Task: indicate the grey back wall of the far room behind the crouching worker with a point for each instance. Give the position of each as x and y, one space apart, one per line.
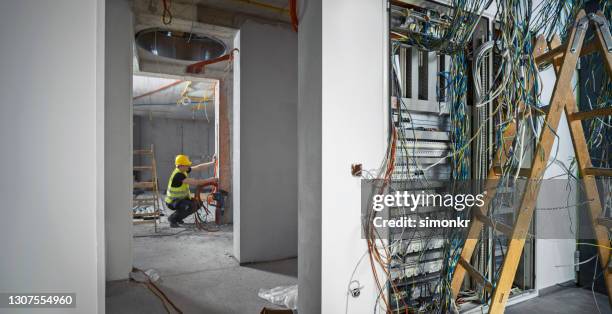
195 138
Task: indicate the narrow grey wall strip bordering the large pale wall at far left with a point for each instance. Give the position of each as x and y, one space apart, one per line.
118 146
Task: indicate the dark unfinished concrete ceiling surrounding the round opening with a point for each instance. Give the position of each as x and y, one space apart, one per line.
217 19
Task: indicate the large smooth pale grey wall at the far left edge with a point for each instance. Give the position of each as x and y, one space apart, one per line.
52 135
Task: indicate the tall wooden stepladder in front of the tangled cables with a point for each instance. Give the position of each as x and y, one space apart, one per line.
564 59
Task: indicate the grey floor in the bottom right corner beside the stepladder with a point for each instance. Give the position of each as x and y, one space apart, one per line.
564 301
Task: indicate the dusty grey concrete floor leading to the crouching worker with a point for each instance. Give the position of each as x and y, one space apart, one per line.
198 273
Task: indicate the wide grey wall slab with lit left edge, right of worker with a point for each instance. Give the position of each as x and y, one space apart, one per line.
265 143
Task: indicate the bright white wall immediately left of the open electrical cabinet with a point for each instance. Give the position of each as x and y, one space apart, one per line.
354 101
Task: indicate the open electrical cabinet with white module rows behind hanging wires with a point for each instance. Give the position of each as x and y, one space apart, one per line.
420 112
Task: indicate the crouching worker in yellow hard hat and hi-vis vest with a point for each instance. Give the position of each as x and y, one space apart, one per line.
178 197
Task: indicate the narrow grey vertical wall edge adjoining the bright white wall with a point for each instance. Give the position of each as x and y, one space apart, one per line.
309 156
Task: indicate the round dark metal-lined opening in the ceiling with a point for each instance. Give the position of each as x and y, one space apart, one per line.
179 45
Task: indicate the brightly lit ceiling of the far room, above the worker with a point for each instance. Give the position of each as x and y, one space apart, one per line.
174 98
